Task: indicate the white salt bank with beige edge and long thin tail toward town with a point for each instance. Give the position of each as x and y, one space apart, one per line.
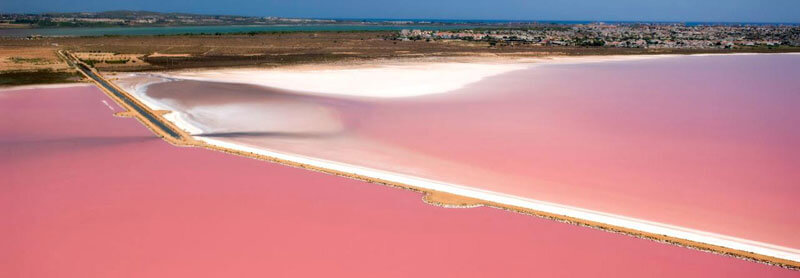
389 78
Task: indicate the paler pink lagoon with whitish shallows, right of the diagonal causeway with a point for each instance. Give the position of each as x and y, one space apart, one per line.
704 142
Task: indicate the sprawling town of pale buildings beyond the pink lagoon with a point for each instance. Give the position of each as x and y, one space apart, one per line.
625 35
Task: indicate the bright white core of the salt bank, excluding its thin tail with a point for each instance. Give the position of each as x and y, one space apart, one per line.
387 81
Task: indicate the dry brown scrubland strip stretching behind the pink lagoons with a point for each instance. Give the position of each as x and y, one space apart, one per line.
277 49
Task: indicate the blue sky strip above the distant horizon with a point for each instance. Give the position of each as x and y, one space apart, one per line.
636 10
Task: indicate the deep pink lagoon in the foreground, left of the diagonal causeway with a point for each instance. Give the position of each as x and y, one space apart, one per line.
86 194
